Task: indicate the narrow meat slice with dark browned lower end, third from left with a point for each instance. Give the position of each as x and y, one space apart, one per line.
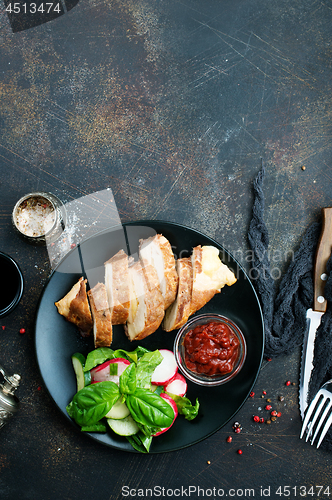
117 286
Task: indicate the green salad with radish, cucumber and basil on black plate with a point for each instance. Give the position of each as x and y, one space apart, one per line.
138 394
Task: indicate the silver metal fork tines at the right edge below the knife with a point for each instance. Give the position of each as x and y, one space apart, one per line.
318 415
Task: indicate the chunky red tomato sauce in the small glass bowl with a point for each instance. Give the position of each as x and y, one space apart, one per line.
211 349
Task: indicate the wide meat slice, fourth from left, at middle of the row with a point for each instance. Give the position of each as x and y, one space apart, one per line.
146 310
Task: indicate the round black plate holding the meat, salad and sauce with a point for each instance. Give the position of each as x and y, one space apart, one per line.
56 339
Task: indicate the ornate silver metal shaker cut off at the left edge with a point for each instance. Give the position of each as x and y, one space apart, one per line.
9 403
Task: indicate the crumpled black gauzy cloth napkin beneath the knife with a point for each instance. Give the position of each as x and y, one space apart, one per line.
284 307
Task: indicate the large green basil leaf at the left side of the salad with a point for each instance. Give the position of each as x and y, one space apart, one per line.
91 403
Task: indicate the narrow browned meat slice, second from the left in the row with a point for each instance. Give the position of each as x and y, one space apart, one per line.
102 324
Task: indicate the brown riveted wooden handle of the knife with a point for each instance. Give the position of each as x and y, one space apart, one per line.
323 254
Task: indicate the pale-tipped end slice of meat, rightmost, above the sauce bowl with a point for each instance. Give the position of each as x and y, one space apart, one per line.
210 275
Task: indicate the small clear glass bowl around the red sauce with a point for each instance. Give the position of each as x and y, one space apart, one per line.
201 378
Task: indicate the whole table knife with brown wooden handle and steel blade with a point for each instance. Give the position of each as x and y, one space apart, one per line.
314 314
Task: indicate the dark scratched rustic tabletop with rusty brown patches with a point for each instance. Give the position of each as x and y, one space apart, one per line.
172 105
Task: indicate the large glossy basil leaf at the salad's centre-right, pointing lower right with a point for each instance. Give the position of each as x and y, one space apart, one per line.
150 409
